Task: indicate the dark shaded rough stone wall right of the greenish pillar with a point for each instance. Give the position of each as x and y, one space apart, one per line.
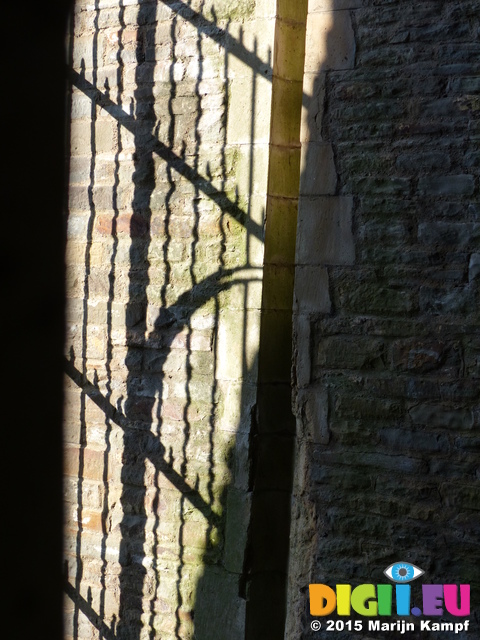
386 294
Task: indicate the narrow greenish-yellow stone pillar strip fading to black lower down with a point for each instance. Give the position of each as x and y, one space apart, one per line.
272 438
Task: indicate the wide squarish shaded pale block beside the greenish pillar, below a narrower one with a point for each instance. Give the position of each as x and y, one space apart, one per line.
324 234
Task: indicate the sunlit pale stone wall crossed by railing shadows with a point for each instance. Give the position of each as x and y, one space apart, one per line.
166 286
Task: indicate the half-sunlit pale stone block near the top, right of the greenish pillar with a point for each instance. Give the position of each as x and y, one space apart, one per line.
330 41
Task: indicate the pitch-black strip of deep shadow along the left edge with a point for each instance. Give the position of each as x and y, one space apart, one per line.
32 325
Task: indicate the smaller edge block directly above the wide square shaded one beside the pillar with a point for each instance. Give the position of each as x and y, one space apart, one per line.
317 167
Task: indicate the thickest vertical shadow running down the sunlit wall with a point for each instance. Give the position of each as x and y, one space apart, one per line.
132 526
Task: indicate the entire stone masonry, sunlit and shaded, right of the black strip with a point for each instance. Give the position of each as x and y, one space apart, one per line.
273 346
